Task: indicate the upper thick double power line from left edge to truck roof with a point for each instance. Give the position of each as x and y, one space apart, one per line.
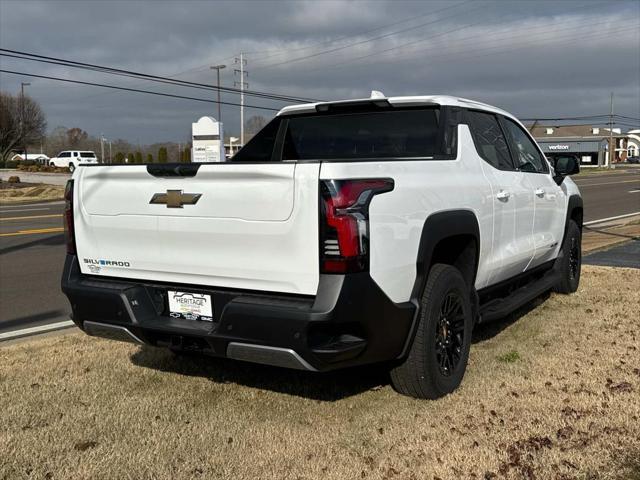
157 78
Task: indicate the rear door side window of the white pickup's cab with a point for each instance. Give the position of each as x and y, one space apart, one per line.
489 140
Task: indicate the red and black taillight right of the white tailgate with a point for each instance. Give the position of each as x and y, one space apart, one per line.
344 223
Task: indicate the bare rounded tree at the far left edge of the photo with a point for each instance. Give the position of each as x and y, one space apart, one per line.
20 122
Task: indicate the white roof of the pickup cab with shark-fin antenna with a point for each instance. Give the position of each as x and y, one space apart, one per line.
397 101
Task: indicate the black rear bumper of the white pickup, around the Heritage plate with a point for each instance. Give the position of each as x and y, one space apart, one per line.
349 322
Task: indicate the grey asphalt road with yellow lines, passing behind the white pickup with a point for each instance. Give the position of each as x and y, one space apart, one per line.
32 248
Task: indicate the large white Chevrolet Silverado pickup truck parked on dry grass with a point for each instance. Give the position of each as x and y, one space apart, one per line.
344 233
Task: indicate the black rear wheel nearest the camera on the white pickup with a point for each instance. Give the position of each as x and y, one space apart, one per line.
424 373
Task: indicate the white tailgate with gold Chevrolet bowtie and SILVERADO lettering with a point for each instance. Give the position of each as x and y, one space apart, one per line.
254 226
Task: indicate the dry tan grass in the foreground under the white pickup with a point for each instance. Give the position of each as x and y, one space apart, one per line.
566 407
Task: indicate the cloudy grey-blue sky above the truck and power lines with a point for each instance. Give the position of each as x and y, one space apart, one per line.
532 58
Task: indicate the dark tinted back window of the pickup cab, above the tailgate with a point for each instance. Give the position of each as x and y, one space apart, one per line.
348 136
